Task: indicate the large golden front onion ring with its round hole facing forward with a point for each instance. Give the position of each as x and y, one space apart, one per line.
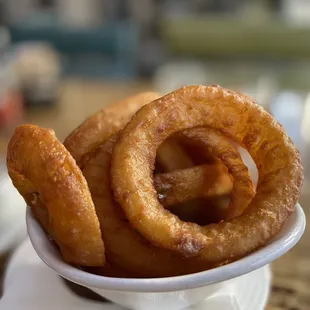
235 115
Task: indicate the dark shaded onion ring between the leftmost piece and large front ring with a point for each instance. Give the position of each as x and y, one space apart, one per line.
125 247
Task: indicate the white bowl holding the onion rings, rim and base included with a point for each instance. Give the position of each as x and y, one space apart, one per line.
171 292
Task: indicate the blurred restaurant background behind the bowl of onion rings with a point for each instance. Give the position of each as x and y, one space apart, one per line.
62 60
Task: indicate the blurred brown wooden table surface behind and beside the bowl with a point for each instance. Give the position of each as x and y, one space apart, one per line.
78 99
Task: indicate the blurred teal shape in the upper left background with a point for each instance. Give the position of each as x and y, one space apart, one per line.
107 51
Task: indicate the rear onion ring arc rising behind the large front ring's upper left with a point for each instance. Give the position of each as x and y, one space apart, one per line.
103 124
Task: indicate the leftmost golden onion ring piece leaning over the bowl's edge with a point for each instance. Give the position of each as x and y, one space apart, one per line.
42 169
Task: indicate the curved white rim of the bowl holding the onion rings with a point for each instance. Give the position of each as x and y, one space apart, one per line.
291 234
